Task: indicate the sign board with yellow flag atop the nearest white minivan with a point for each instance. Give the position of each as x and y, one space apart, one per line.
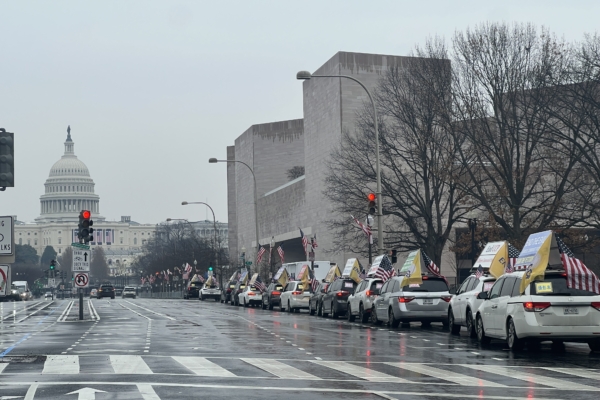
534 257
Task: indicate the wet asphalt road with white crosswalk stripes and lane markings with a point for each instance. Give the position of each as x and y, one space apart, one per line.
178 349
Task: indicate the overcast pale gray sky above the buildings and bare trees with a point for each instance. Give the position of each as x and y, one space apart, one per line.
152 89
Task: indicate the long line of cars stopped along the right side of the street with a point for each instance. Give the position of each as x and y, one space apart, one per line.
489 308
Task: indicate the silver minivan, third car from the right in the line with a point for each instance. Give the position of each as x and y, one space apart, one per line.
426 302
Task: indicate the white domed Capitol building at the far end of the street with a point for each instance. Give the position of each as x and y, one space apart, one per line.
70 189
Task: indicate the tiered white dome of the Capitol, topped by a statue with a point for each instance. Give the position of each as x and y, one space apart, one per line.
68 189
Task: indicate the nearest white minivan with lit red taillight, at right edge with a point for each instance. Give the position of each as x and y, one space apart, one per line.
548 310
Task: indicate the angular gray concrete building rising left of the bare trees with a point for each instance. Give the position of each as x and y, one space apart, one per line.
284 205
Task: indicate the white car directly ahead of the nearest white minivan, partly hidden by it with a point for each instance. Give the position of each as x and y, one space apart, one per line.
464 303
